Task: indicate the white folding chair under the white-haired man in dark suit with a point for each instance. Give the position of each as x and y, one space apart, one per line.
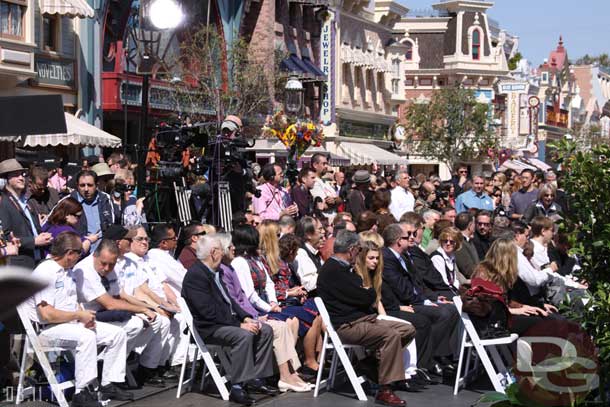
208 360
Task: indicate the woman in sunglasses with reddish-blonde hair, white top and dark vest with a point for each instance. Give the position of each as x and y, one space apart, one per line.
443 259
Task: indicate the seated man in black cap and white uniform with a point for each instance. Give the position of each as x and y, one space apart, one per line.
130 279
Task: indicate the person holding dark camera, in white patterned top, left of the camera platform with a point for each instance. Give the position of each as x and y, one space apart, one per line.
127 207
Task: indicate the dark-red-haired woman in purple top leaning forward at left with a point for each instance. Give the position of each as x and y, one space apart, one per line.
64 217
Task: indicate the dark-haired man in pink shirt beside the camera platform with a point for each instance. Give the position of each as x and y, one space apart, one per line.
274 201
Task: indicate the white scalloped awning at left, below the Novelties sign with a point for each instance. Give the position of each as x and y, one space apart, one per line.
78 133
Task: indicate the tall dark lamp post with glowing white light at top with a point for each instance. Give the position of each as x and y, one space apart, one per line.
155 17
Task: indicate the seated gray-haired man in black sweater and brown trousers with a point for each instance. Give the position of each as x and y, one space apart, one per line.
350 306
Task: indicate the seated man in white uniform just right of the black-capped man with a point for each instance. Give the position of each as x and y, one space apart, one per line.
152 292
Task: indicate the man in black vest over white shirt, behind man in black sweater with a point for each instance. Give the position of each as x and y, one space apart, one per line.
308 259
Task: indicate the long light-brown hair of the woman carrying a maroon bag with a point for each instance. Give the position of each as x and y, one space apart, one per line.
500 265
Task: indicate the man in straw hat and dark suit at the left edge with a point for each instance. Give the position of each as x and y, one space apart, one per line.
18 217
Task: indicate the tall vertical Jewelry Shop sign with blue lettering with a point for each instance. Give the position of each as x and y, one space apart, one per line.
326 59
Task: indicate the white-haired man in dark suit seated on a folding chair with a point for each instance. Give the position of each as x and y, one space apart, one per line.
221 321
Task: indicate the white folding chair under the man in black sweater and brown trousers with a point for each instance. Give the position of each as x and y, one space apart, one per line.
332 341
